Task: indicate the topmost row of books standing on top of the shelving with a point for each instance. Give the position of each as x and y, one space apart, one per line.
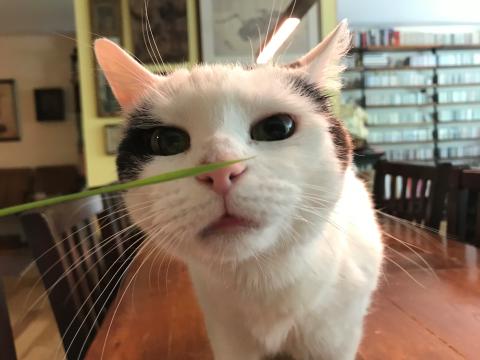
399 37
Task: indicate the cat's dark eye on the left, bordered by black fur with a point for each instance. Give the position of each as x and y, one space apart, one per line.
166 140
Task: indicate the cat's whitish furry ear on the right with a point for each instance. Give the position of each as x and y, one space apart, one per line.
322 63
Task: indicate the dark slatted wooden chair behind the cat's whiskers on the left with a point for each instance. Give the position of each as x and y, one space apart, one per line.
81 250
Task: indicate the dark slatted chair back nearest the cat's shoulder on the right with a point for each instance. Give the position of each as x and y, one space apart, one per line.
412 192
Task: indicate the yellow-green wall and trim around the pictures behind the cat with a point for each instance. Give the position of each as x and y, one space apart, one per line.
100 167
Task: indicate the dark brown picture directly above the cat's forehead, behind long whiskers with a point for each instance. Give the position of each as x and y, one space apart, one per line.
160 28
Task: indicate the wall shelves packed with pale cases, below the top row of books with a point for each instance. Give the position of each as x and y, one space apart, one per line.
423 101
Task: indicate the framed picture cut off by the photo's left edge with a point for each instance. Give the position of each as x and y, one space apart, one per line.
9 127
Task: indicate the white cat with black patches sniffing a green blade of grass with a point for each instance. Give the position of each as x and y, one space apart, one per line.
284 250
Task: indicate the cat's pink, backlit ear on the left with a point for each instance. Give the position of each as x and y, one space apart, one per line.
127 78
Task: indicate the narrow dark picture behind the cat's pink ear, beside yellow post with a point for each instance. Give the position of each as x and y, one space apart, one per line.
106 20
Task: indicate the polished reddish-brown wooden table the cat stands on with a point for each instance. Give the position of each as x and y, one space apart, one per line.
419 312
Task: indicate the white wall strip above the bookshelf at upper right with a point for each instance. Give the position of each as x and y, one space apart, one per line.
409 12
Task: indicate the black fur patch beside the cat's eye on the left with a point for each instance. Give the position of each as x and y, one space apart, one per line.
133 151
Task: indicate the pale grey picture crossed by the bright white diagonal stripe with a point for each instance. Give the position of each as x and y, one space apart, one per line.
232 31
